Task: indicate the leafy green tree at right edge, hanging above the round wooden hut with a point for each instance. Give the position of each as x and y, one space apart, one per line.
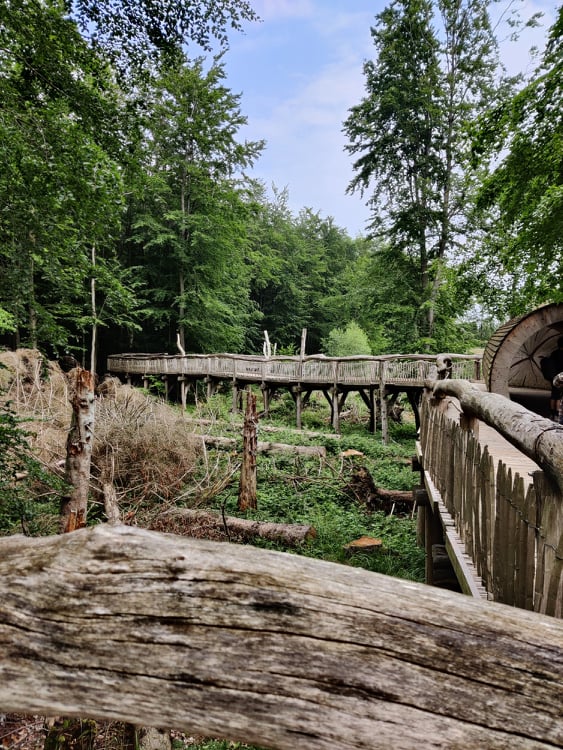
521 198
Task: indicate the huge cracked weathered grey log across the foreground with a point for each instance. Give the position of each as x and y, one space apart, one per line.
275 649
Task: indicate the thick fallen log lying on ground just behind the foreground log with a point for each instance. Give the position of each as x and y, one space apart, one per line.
192 522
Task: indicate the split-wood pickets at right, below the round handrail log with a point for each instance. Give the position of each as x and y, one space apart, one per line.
513 535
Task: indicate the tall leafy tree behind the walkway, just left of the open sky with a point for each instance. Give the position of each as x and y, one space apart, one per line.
191 223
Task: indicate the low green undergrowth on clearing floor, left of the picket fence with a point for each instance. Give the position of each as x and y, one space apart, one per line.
293 489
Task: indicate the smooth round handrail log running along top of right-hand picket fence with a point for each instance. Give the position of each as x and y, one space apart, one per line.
537 437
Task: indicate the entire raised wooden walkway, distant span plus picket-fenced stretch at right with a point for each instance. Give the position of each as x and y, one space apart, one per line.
482 500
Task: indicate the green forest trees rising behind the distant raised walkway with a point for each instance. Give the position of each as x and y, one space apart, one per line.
130 220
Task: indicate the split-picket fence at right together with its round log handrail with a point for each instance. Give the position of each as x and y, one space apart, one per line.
512 534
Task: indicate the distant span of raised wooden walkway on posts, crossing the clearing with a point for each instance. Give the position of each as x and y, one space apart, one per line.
378 380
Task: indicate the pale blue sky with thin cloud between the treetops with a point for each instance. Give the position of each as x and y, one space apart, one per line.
299 71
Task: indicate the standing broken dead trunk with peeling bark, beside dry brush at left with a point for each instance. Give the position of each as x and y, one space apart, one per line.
74 507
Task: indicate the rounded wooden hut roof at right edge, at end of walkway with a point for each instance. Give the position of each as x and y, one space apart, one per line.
513 353
